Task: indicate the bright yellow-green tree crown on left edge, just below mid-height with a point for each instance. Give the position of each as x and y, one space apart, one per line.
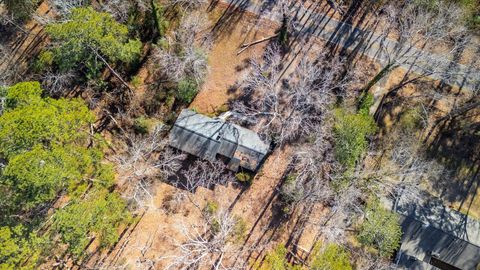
38 175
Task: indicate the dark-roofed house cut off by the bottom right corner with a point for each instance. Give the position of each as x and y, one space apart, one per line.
436 237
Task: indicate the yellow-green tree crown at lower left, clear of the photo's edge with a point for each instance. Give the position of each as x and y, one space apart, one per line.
99 215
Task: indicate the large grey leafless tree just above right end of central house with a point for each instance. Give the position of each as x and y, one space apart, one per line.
290 108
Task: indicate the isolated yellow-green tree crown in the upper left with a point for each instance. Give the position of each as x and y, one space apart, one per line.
87 31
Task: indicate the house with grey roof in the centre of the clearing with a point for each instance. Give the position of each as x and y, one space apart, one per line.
213 138
